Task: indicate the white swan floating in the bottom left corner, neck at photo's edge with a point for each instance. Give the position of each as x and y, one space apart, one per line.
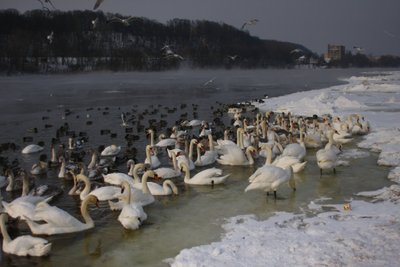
25 245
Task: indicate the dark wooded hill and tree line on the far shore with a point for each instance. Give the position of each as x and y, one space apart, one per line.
43 41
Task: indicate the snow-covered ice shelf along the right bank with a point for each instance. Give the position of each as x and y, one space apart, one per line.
365 234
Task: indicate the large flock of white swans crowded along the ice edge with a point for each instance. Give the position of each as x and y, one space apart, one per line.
283 139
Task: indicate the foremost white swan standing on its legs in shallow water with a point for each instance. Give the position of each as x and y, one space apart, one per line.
270 178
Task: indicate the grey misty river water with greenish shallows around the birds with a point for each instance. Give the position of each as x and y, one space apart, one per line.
176 222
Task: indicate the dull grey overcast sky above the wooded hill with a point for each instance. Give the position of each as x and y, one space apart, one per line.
373 25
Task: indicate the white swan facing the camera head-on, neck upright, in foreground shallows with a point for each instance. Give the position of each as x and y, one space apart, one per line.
132 214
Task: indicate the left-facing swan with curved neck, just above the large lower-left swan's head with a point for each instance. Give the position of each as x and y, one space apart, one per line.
102 193
